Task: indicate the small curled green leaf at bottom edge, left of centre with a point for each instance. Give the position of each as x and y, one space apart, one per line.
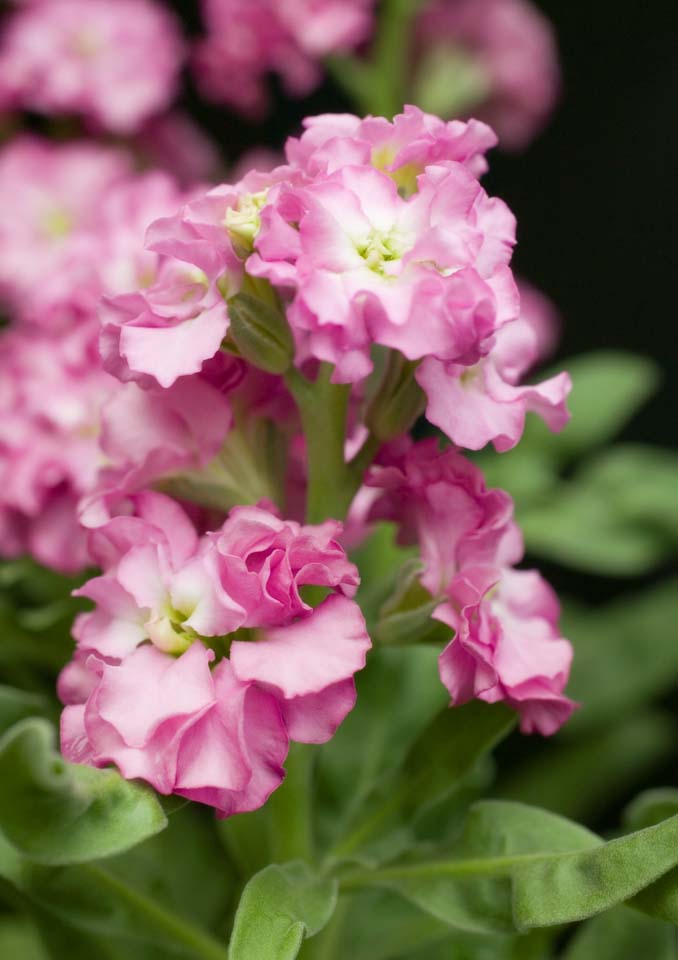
279 908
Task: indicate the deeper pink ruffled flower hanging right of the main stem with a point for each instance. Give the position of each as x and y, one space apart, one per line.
506 644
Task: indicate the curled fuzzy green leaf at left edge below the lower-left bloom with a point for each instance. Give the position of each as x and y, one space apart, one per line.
57 813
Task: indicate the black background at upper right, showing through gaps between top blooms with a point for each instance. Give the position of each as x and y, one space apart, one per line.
595 195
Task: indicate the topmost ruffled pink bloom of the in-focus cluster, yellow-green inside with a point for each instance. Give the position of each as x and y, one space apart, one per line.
402 147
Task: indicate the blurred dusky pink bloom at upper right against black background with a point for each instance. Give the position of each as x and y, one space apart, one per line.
512 47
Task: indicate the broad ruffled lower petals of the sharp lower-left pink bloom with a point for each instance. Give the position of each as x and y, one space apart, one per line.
184 729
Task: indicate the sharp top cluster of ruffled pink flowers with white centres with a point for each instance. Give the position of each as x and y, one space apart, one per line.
374 234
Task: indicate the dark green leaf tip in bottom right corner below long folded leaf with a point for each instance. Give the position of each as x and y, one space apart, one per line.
622 934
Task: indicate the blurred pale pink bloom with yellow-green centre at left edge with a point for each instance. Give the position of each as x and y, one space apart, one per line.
50 241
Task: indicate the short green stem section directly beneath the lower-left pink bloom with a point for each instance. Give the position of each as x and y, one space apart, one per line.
290 808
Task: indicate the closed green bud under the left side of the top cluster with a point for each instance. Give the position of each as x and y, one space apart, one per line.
260 333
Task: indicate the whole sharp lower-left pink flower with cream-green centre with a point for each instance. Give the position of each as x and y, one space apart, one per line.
140 691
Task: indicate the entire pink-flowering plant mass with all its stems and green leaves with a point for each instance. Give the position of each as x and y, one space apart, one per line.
278 445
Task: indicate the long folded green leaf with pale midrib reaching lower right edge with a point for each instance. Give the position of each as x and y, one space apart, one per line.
518 867
